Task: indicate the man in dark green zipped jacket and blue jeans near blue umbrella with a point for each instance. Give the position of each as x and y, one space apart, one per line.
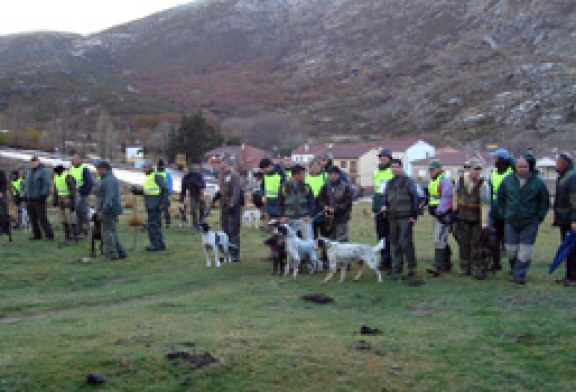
523 202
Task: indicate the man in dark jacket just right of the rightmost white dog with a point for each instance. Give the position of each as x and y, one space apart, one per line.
400 203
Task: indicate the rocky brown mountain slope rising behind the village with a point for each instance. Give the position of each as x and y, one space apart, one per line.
453 70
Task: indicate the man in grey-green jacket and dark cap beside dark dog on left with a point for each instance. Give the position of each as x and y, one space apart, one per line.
109 207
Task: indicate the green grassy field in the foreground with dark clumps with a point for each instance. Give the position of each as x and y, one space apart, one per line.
62 319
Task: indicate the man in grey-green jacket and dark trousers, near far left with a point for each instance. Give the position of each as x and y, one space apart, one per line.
37 189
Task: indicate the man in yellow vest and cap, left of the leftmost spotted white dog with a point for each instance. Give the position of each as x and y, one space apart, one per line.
155 193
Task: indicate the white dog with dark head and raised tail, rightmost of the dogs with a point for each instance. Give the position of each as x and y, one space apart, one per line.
344 254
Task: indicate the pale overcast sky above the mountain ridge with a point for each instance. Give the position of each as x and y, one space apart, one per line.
76 16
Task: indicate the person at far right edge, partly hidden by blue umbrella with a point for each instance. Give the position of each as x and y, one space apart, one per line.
565 209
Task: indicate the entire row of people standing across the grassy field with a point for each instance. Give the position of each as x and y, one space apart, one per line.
317 201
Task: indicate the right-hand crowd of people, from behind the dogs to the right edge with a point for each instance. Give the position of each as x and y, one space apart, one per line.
508 207
